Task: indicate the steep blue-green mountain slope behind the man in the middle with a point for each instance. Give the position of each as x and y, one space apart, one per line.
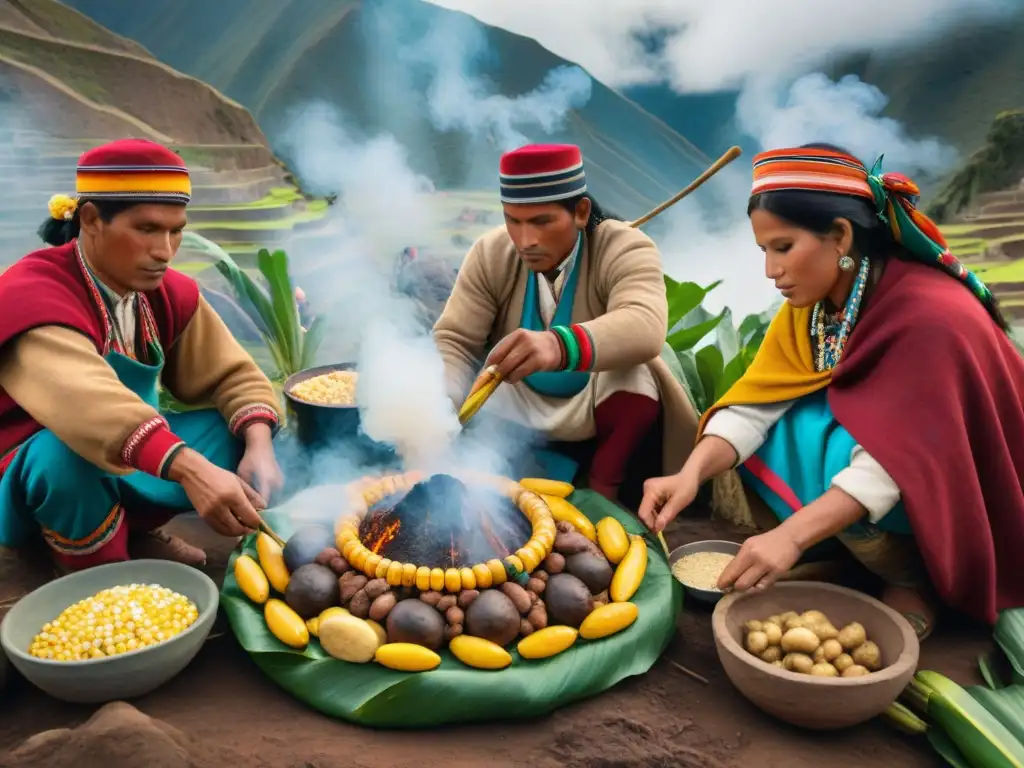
273 56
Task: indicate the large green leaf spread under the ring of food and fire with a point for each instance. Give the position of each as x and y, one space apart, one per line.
372 696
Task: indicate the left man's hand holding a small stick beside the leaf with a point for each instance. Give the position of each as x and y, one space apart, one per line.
223 499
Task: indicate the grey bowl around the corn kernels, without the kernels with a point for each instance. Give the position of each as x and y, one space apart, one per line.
124 676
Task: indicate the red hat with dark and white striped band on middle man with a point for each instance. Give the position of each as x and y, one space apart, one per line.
542 174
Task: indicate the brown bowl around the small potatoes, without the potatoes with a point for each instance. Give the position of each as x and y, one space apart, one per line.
818 703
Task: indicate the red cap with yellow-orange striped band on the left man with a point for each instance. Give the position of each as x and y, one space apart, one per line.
134 169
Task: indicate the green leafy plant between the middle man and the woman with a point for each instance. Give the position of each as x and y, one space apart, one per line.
710 370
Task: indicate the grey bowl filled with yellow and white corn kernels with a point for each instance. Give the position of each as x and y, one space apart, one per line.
112 632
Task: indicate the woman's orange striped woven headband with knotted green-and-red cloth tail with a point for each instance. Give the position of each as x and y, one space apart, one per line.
893 195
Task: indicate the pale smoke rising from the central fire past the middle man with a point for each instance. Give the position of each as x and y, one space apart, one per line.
385 207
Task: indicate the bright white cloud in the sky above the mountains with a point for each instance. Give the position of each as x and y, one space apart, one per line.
716 45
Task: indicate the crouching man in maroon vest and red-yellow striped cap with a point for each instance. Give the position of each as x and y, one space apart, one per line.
91 329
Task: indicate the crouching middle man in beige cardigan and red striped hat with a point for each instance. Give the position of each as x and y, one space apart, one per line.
571 306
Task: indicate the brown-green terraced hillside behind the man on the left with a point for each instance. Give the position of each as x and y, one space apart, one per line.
68 84
